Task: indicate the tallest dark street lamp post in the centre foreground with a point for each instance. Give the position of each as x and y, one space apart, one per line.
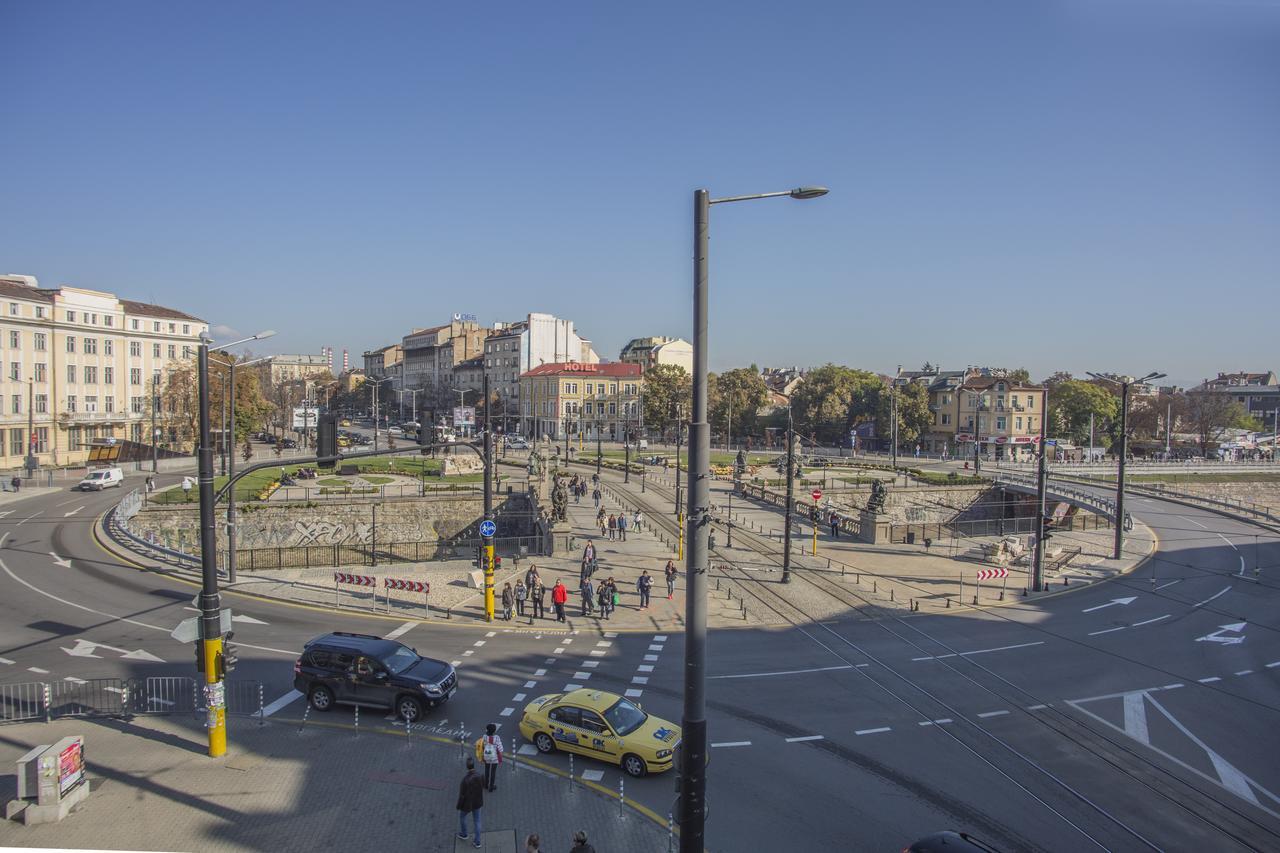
693 758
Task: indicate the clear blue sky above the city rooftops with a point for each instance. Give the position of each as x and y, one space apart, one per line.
1076 185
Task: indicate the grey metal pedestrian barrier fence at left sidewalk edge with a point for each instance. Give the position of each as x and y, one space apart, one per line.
34 701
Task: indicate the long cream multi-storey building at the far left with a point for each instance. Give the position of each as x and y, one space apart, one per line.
80 366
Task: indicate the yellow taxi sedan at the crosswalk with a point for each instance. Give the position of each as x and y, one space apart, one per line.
601 726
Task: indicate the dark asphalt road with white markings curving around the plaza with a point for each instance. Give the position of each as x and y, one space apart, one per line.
1075 724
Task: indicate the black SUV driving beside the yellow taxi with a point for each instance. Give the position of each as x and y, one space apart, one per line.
363 669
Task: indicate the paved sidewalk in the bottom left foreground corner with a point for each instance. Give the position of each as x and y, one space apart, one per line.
323 787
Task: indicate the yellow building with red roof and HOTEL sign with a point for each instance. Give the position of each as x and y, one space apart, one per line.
582 400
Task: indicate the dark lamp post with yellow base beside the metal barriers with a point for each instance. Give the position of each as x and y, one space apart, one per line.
211 621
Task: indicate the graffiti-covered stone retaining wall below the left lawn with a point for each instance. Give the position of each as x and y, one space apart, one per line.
328 523
